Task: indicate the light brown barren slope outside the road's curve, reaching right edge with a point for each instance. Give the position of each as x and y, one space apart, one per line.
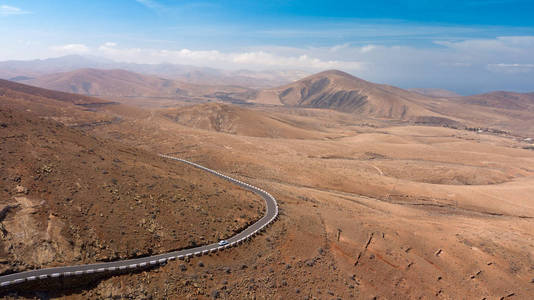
409 203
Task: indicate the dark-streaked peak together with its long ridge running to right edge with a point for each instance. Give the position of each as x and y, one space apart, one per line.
512 112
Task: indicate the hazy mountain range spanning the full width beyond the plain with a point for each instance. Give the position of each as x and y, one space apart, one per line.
331 89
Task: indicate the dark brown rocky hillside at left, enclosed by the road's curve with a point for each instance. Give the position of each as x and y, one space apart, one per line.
67 197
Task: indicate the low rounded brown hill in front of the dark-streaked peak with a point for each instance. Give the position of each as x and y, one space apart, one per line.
236 120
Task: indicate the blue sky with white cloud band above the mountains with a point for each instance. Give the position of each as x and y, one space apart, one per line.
467 46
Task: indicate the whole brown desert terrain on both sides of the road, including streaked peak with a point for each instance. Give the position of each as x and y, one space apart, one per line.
384 193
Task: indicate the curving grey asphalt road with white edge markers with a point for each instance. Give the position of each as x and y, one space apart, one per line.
271 213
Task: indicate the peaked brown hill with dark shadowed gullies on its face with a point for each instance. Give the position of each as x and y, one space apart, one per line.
344 92
